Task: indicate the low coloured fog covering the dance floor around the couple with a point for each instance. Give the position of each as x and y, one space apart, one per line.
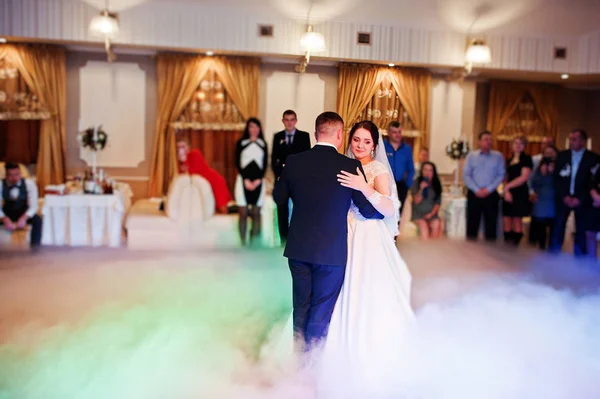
494 322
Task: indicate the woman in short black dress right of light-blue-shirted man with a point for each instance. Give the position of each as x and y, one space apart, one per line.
516 204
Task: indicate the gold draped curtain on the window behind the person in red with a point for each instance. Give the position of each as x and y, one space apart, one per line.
178 79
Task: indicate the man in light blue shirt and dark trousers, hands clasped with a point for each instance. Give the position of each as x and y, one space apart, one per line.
483 173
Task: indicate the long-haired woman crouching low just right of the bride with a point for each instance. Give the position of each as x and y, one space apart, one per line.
427 198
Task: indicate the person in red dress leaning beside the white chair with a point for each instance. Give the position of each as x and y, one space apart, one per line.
193 162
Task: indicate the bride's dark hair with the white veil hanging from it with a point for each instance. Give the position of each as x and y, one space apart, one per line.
391 222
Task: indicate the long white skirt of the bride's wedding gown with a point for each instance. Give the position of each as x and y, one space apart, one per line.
368 346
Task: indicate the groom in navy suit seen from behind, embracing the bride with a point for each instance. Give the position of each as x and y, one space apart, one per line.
317 245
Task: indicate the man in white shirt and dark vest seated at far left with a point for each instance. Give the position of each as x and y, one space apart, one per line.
19 198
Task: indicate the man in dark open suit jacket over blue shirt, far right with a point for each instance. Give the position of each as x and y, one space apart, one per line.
573 171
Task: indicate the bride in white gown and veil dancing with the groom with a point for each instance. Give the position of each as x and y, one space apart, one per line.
366 349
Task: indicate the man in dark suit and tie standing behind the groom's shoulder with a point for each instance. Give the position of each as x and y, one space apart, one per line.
287 142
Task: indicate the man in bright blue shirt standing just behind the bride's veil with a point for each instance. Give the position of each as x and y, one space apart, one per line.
401 161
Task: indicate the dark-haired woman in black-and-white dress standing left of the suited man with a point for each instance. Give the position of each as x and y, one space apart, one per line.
251 163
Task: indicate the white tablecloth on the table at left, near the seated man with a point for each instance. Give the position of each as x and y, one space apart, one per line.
85 220
